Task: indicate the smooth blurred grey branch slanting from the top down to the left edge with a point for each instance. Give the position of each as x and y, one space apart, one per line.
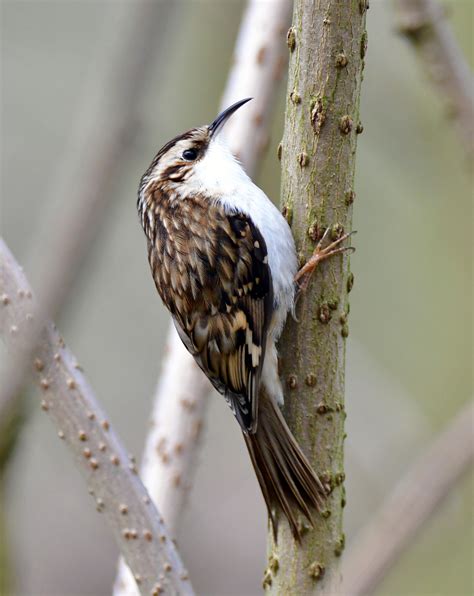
88 171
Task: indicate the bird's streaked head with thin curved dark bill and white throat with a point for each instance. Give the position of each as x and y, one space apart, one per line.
195 161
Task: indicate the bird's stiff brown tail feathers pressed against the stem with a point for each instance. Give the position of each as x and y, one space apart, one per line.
286 478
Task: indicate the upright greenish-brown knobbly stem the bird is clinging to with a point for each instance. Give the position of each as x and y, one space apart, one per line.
327 44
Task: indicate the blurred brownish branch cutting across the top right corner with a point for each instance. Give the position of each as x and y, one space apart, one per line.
424 24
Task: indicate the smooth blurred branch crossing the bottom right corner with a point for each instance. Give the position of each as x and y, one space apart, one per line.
405 512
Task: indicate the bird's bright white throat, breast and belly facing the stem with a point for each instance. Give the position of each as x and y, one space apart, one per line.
220 175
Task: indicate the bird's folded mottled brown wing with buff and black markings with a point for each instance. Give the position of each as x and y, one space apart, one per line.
221 302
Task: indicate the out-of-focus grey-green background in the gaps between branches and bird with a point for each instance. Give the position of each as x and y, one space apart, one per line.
409 354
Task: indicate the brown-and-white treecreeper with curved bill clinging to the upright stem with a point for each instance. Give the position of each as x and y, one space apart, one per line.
224 263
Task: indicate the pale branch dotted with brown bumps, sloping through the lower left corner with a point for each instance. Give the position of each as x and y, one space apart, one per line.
111 475
